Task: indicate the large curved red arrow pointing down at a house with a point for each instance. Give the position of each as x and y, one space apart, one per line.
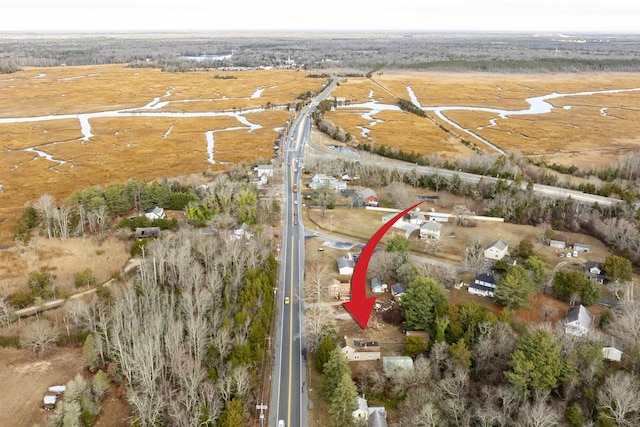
360 306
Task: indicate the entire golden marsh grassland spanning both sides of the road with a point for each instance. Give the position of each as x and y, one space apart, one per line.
46 150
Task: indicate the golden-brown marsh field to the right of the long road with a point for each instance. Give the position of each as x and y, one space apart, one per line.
586 130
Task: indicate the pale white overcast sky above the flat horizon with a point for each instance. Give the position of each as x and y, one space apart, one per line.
328 15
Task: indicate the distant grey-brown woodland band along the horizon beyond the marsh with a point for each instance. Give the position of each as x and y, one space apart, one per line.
515 52
